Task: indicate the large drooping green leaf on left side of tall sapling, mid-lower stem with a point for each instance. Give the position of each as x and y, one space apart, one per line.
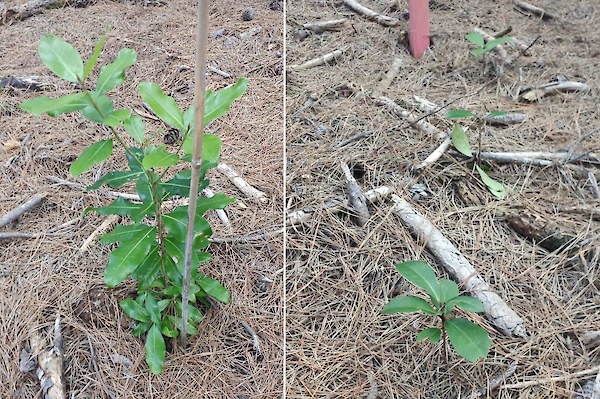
128 256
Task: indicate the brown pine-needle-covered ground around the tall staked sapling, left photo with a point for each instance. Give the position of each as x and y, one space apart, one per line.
45 276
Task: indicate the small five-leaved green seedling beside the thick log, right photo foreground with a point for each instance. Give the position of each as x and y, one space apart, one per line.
468 339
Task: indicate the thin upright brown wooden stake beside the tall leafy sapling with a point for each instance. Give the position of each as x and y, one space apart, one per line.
200 78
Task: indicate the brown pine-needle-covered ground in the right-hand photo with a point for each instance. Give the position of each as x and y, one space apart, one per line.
340 275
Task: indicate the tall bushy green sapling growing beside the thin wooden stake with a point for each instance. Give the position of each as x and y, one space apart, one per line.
151 248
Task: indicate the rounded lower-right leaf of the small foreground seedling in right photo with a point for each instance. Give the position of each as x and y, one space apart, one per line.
468 339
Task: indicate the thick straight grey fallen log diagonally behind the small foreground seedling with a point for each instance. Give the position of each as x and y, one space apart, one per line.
497 311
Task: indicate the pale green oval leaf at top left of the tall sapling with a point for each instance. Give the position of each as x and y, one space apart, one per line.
61 58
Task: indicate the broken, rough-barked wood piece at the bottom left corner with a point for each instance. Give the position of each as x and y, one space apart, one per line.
50 361
